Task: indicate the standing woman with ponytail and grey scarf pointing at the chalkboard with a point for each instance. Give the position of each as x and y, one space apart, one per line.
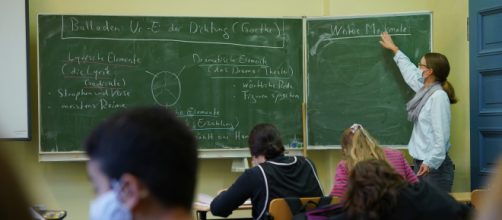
429 111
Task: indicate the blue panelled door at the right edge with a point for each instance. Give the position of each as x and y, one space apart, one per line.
485 21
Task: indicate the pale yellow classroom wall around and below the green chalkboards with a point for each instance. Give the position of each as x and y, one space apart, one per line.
64 185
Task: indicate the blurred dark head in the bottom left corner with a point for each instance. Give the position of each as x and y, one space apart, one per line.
13 201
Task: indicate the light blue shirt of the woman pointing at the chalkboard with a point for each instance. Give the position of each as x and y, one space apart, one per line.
430 138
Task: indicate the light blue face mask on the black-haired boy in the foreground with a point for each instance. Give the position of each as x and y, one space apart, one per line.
109 207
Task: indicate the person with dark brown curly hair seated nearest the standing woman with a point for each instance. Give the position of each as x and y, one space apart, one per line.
376 191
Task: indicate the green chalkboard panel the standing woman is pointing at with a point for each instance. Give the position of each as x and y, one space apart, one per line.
353 79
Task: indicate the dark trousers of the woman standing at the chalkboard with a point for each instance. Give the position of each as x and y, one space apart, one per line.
441 177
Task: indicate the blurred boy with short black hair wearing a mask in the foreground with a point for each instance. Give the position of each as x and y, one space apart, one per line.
143 165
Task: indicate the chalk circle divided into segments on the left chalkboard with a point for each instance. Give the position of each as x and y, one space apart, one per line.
166 88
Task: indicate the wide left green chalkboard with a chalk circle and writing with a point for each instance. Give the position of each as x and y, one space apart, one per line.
222 75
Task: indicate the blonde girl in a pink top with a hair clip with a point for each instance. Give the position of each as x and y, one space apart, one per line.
358 145
